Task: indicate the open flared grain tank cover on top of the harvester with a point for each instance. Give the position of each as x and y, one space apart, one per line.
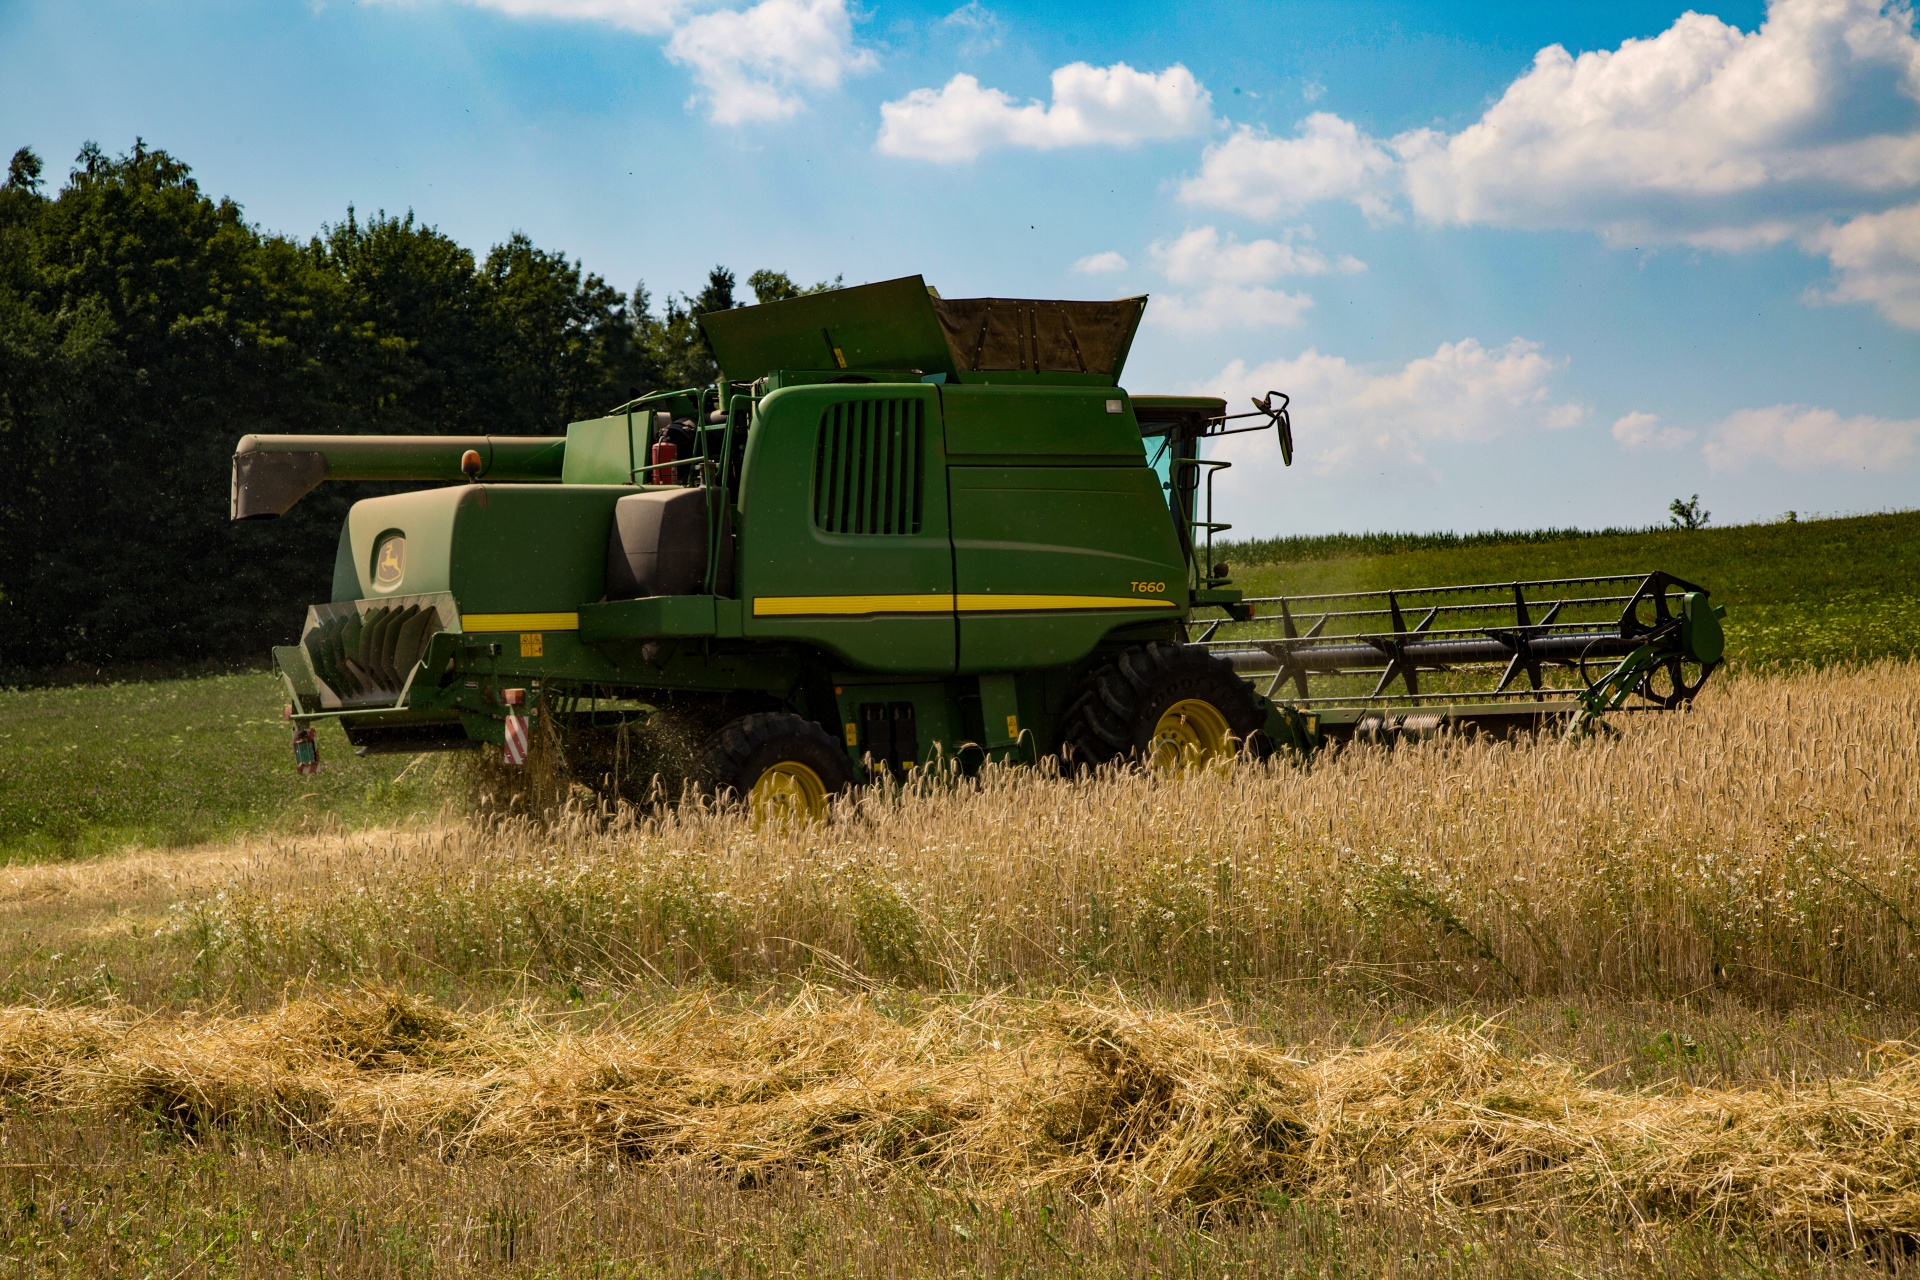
901 325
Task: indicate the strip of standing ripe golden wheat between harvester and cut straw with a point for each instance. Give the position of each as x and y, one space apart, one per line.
1762 843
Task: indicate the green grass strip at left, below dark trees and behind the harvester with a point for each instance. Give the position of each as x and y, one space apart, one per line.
91 769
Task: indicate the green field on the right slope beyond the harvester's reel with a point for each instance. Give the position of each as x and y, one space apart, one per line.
1808 592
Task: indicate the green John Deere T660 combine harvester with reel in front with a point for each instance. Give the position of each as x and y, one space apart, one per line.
901 531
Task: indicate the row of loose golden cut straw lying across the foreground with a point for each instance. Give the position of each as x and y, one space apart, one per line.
1090 1099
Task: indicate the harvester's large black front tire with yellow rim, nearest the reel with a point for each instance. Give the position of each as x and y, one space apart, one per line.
1170 707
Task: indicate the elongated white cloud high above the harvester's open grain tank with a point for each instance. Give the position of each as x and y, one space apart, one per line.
1111 107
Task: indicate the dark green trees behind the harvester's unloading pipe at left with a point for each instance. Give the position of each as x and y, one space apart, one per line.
145 327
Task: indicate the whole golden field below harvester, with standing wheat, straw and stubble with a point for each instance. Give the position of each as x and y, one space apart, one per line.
1641 1005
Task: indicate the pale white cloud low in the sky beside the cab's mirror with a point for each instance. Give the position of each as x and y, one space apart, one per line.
1349 419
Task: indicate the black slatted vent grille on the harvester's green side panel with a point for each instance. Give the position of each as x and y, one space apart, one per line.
869 469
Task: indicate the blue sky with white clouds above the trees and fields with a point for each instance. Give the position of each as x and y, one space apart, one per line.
1518 264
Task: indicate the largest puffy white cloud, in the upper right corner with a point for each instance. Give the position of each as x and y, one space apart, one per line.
1702 133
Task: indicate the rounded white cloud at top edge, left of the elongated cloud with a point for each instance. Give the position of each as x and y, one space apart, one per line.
750 64
